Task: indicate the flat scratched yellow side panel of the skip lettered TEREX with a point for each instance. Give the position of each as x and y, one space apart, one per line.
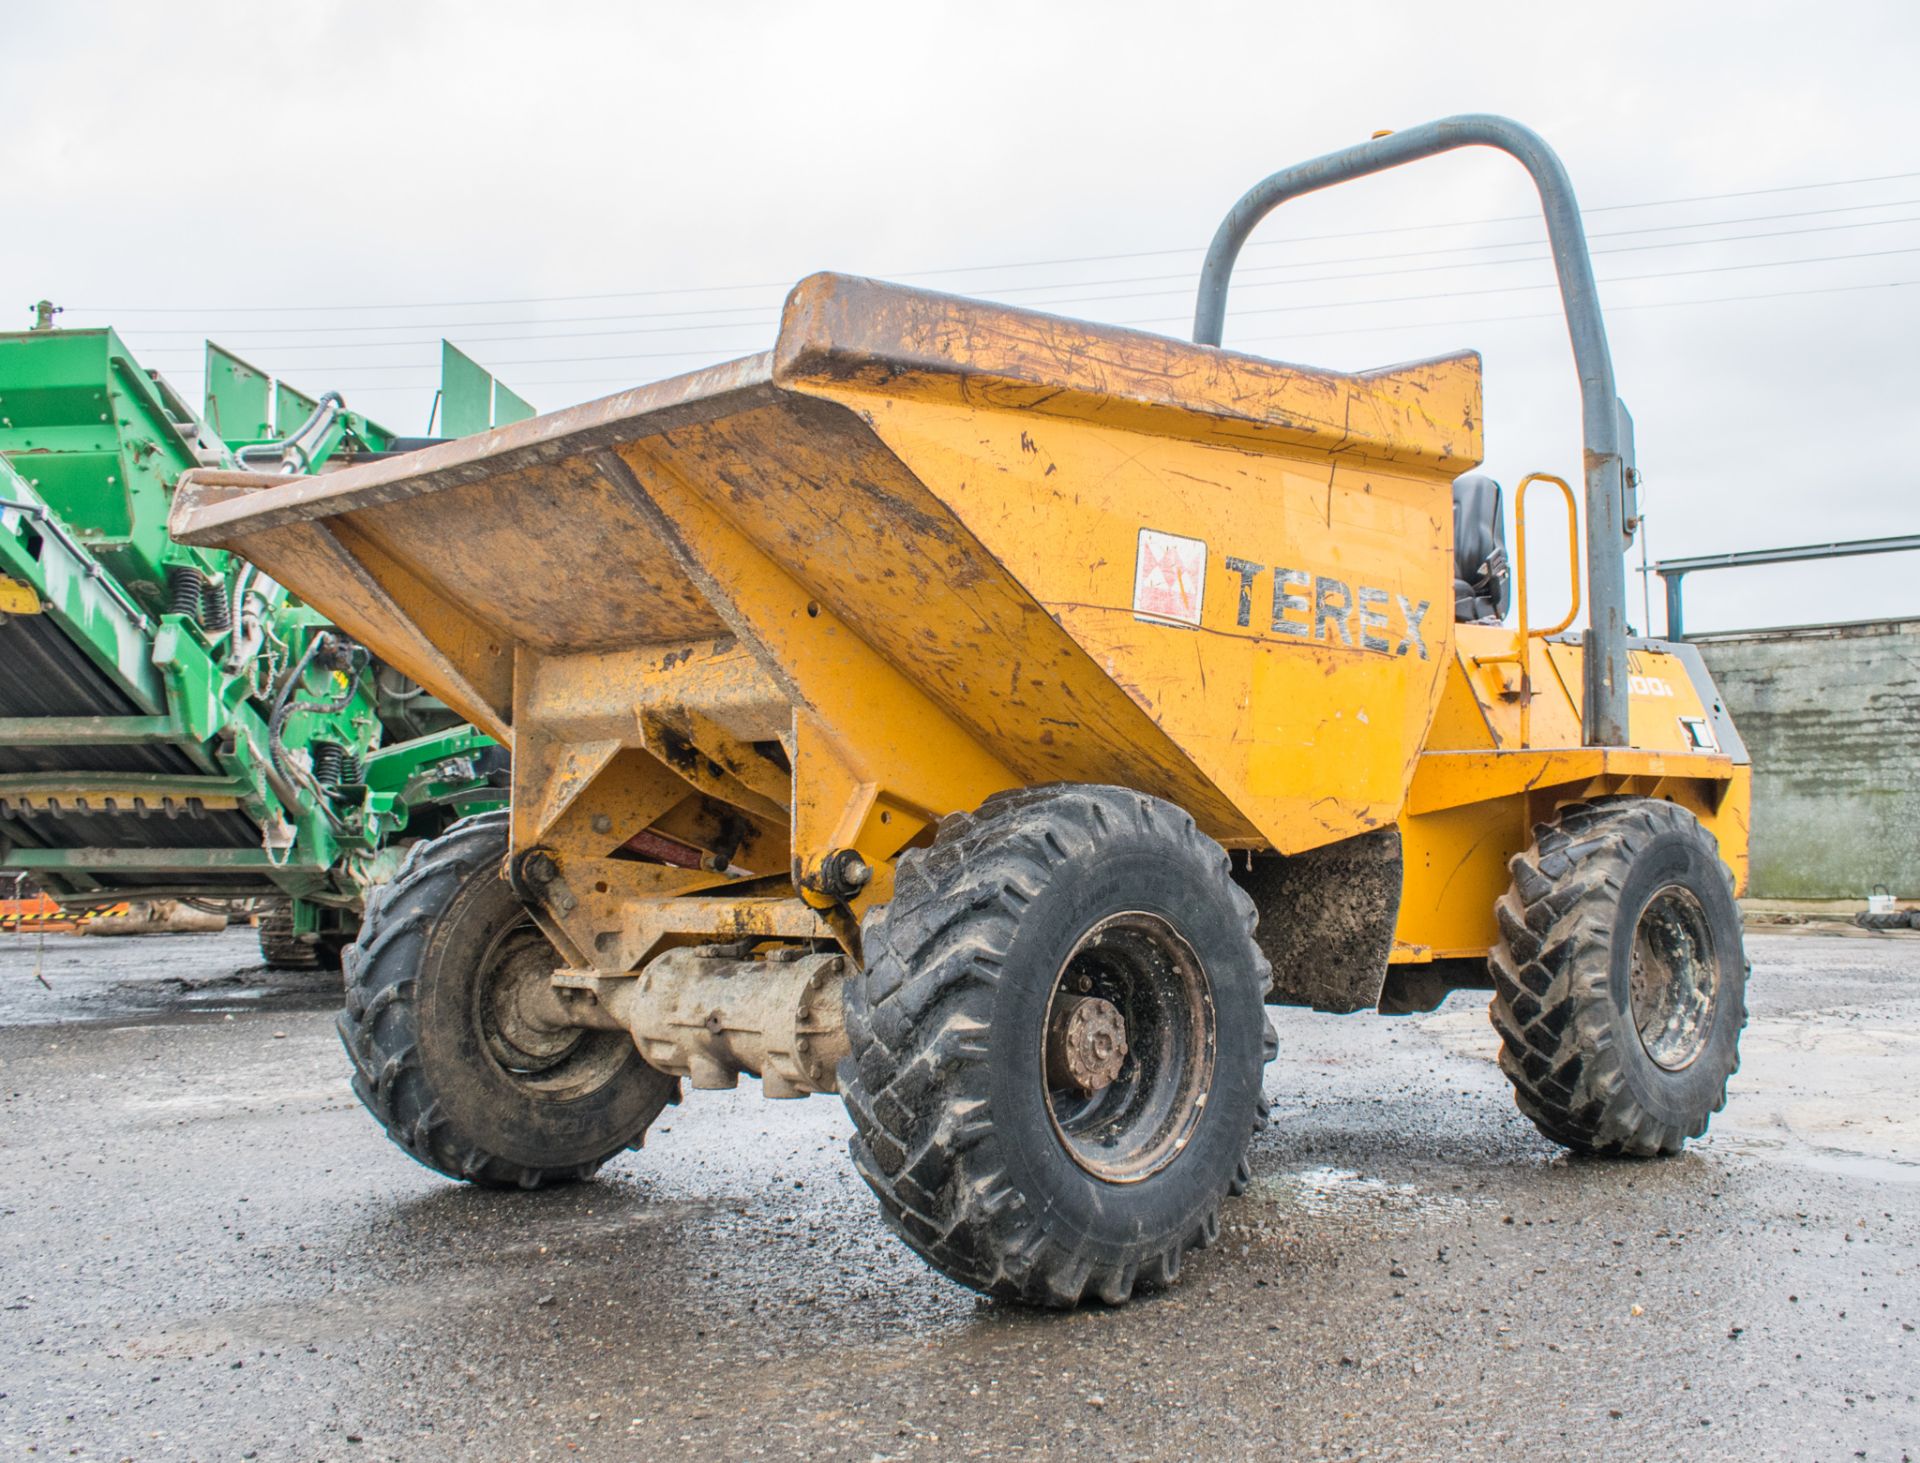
1305 721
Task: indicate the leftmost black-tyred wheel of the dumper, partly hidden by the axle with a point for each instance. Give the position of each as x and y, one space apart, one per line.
439 1055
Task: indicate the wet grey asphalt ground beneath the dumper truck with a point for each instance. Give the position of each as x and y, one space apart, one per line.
208 1251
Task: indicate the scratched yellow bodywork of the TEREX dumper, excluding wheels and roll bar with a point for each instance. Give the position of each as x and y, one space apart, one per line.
926 550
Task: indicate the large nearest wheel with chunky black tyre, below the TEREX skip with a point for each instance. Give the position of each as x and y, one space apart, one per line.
1059 1045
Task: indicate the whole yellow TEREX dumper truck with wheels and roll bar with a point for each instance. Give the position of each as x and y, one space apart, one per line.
984 717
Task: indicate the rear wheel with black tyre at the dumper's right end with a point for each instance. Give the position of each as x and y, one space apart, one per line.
1621 978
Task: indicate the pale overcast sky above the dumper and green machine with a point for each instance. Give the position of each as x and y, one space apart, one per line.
316 187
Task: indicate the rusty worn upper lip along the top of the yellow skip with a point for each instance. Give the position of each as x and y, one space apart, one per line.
834 329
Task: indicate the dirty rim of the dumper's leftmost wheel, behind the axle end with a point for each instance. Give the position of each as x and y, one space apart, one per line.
514 995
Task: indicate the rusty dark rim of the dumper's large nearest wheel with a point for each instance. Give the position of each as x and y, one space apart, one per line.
1128 1047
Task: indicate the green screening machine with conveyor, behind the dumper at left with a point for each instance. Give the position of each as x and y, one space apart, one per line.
174 725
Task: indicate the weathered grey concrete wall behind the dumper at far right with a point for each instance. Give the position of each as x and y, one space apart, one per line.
1833 721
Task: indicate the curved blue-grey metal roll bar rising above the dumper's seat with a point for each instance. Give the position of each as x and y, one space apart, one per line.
1606 429
